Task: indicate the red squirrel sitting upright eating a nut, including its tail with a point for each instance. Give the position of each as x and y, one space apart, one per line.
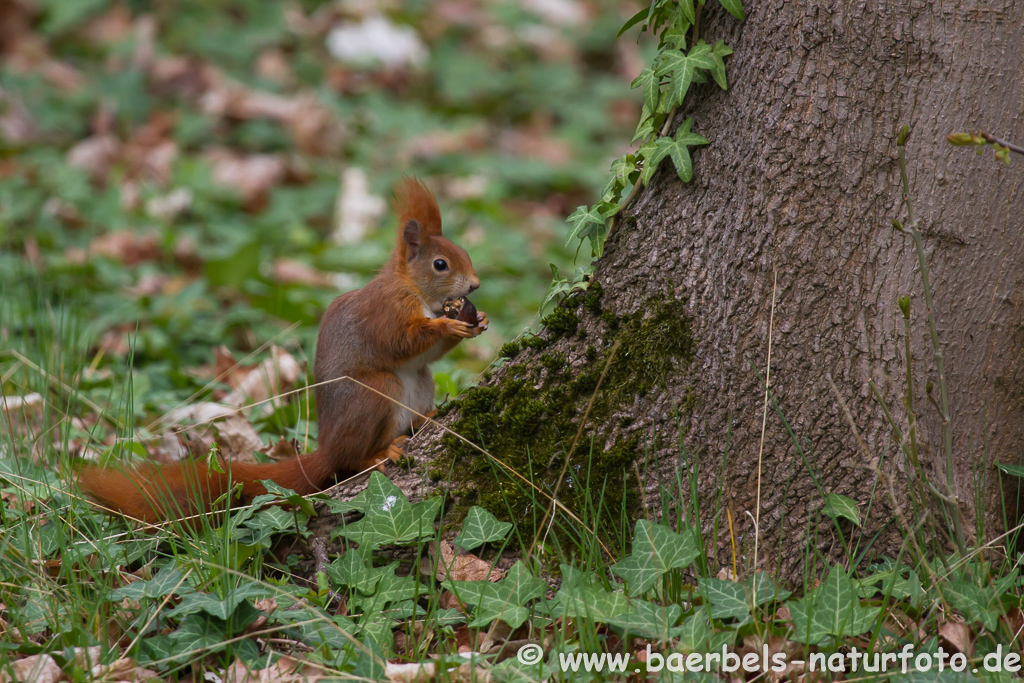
385 335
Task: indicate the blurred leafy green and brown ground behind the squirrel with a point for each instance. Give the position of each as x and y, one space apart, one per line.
178 177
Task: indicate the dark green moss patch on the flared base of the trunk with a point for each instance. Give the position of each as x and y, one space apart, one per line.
529 419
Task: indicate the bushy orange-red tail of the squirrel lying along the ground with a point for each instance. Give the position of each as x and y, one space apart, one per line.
156 494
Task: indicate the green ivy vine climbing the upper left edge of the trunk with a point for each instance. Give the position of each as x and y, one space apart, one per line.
684 59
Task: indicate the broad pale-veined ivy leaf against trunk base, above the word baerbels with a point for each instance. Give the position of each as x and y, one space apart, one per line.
657 549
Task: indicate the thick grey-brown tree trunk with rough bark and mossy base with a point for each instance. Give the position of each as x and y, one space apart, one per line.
800 184
